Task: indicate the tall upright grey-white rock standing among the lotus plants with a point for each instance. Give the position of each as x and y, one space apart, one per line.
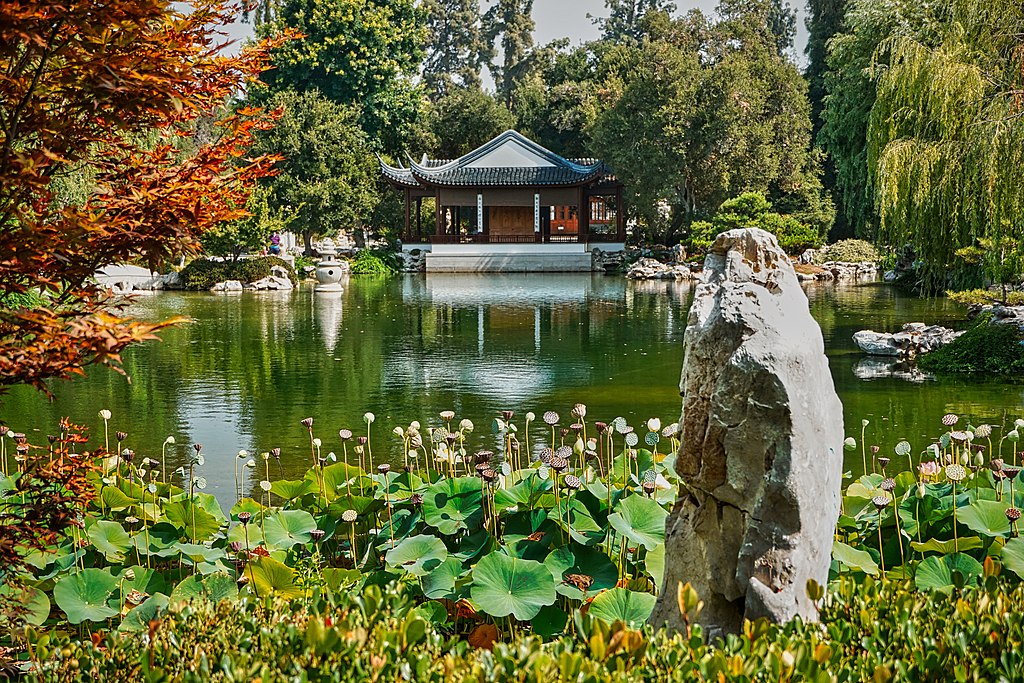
762 445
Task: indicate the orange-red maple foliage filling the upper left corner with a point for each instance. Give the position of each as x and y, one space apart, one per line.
116 87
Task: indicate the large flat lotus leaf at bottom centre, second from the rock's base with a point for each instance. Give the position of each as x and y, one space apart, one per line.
504 586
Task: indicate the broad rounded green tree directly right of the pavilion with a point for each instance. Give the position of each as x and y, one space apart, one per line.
710 110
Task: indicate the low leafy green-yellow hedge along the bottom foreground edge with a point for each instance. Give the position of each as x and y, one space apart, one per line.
875 631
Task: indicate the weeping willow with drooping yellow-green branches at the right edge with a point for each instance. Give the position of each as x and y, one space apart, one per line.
947 143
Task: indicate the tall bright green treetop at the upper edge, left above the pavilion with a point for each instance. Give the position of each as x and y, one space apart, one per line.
356 53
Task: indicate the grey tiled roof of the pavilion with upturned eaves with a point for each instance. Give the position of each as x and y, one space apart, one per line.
475 170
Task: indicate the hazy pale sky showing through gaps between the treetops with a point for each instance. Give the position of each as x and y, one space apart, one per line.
562 19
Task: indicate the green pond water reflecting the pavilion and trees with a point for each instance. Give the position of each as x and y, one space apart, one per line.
250 367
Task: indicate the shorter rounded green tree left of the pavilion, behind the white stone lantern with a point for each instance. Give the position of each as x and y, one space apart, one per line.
329 179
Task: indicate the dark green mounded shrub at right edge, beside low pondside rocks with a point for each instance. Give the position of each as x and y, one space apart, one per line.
995 350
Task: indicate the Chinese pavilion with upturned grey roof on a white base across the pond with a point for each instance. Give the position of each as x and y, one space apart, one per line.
508 194
